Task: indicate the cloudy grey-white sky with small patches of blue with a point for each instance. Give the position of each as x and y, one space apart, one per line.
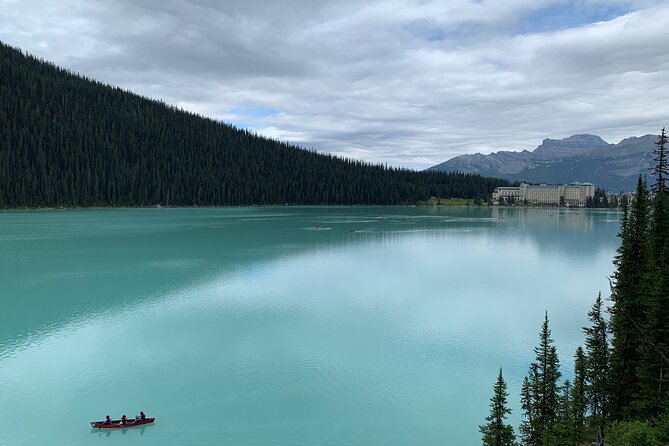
407 82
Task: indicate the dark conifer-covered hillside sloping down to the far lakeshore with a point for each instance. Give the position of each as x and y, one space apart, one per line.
70 141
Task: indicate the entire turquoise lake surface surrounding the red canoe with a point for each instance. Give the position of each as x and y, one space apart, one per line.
291 326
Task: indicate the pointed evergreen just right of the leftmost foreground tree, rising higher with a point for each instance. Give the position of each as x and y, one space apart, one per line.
540 396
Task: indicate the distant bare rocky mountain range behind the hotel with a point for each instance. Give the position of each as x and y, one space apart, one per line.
582 158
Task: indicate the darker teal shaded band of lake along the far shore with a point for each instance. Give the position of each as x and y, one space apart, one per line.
58 268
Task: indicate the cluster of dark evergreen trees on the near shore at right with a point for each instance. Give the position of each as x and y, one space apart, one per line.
619 394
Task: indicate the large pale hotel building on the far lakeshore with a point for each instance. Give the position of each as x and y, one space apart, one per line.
574 195
